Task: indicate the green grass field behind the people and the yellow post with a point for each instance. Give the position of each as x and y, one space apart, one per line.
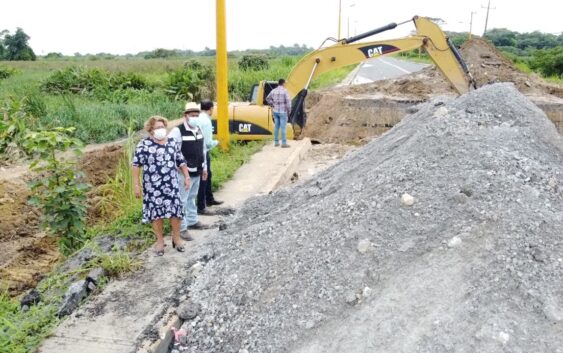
101 120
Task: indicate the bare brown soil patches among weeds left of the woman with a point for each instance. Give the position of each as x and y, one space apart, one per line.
27 252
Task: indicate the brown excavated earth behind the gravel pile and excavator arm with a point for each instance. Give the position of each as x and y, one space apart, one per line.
335 115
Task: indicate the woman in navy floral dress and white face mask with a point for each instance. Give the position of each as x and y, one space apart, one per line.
160 158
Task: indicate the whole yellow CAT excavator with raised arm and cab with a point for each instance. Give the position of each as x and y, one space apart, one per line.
253 120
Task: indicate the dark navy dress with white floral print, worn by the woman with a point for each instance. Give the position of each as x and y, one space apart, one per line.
160 178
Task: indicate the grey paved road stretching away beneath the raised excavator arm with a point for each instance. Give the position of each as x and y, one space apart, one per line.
382 69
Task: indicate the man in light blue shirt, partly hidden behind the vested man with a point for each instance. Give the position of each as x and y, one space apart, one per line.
205 195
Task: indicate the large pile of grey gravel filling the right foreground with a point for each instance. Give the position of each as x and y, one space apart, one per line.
443 235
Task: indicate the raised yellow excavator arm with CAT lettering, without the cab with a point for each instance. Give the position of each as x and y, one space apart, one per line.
345 52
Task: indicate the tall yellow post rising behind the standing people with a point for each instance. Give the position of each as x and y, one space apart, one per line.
222 70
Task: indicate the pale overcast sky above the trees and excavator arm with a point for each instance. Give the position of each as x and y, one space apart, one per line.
128 26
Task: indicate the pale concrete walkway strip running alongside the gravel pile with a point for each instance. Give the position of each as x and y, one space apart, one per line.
115 320
